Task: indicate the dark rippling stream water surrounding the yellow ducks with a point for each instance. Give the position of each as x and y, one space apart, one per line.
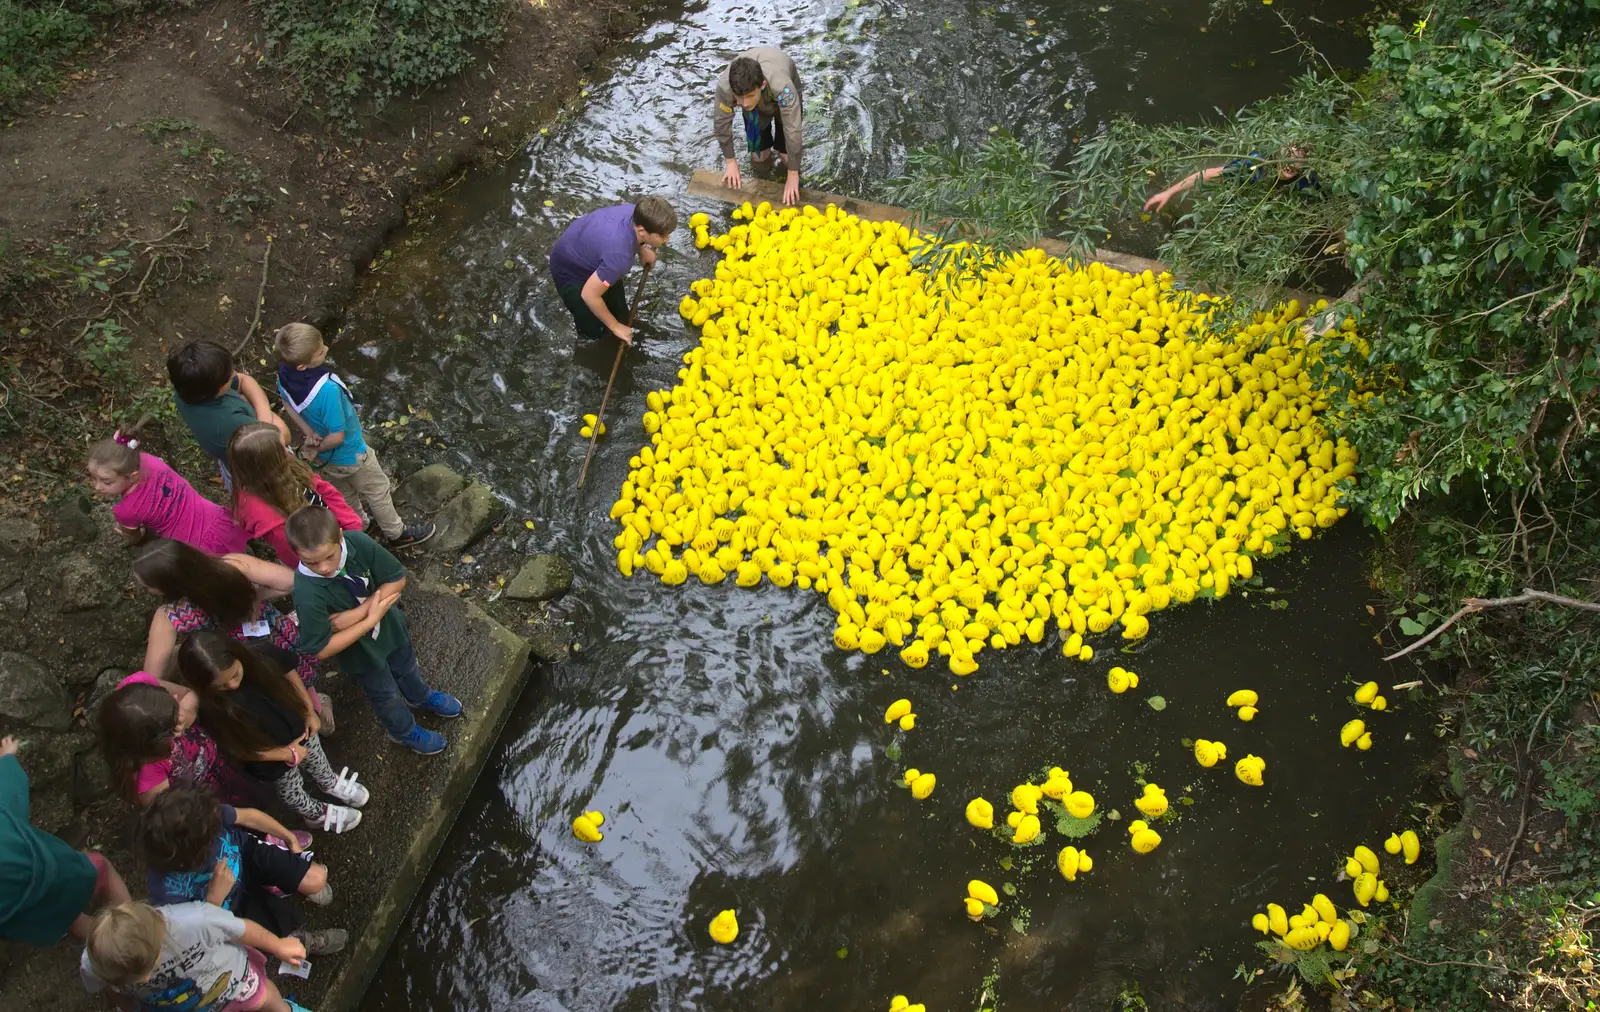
742 760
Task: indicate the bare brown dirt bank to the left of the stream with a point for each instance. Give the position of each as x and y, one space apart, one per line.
174 187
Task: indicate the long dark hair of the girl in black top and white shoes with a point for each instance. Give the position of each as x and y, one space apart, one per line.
209 654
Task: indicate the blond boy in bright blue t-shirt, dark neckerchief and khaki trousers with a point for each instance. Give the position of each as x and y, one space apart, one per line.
335 446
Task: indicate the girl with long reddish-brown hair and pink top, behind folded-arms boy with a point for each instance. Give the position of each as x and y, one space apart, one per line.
271 483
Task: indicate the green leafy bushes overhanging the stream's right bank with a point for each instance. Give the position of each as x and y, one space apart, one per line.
1457 182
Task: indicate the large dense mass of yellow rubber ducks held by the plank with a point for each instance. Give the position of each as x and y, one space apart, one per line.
956 473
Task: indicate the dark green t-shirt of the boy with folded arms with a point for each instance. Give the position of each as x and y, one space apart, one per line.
367 564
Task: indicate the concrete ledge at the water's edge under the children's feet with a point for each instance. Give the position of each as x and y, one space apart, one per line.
378 869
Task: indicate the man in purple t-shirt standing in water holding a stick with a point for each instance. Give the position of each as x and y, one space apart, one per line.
598 251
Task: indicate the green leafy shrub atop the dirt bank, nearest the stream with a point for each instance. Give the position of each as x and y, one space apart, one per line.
353 52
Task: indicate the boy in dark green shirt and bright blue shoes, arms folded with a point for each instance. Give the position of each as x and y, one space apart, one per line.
346 593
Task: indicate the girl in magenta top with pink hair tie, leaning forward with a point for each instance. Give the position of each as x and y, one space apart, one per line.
153 500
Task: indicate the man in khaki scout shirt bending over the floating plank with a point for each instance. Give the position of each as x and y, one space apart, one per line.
766 87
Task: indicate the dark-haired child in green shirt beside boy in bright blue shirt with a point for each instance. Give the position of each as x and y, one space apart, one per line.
215 400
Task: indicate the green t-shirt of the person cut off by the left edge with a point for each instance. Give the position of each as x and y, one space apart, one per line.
44 883
